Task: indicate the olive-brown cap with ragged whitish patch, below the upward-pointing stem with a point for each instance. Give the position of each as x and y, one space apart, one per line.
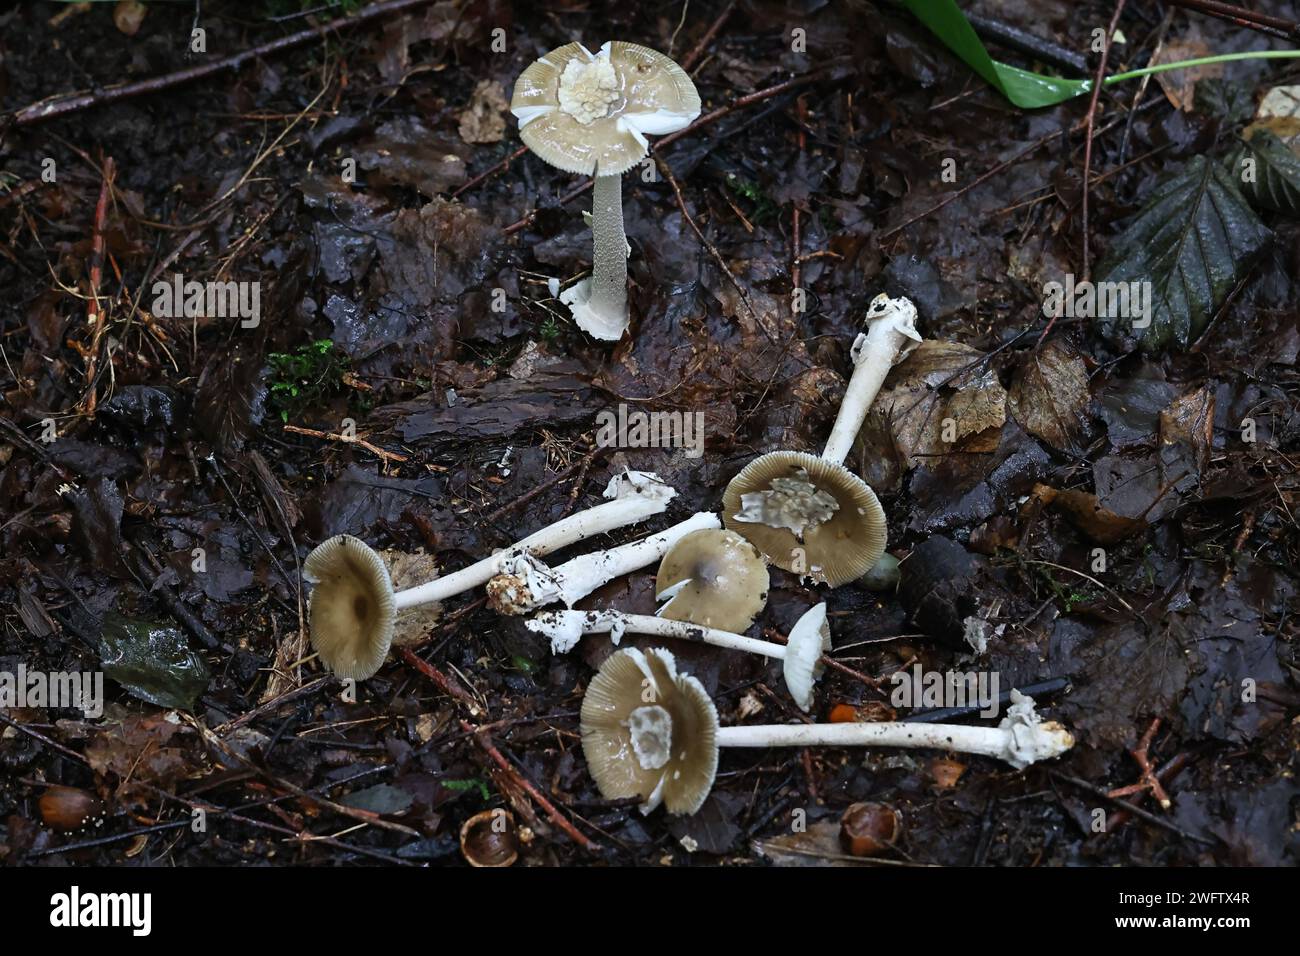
808 516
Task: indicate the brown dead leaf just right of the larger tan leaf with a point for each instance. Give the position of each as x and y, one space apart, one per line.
1050 396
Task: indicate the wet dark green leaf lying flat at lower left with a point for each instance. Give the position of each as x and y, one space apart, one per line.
153 661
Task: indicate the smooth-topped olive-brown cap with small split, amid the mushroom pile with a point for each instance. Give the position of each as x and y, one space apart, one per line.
713 578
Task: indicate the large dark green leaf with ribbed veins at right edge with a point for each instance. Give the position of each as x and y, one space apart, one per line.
1193 243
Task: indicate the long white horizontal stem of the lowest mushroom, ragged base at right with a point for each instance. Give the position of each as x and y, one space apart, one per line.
1021 739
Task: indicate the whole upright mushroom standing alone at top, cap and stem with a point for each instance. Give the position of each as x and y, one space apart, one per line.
591 114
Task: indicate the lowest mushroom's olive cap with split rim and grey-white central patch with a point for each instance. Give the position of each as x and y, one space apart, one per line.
649 732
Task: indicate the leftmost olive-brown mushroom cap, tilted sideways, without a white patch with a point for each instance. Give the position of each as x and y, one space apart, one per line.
353 609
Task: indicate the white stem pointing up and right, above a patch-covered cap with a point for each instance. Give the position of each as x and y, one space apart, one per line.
891 336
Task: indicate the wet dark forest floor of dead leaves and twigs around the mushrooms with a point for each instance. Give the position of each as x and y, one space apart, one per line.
1128 518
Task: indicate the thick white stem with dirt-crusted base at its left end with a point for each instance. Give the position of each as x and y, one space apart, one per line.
526 583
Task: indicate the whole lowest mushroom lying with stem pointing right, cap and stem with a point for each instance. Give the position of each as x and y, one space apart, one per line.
652 733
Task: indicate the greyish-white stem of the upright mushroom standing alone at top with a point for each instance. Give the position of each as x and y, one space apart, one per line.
600 304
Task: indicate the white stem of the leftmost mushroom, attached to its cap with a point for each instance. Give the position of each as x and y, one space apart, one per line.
636 496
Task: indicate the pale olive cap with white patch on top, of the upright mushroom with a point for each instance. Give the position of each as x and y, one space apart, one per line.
591 114
